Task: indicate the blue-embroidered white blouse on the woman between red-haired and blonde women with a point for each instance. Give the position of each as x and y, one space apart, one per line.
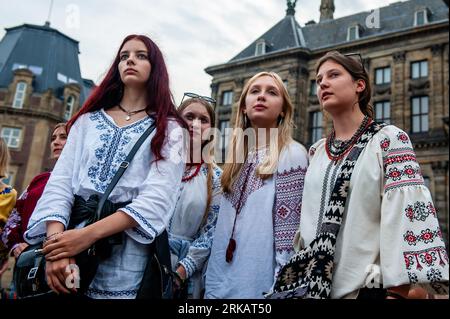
192 239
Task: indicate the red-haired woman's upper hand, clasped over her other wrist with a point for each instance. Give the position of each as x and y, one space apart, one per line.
68 244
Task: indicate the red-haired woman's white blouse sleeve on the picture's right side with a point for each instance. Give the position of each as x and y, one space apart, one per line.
155 203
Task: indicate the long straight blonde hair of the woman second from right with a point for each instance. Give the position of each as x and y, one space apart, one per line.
232 168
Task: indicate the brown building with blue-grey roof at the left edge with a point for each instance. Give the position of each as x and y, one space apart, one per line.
40 85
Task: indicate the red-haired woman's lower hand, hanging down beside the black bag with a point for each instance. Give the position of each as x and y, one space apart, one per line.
60 275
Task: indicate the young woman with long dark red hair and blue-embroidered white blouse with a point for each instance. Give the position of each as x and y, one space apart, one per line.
134 95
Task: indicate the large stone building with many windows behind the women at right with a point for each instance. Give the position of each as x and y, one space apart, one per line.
405 48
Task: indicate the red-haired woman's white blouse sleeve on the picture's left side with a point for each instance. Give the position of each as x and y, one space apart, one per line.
56 201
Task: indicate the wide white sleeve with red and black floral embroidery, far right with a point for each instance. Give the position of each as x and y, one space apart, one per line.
412 247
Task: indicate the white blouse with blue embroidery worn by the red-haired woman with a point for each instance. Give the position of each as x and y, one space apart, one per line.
94 150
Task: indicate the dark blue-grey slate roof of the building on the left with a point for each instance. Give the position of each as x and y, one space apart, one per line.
51 55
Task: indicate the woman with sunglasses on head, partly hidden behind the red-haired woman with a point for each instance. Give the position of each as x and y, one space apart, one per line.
192 226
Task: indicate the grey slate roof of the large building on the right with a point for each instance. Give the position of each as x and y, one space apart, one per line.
288 34
